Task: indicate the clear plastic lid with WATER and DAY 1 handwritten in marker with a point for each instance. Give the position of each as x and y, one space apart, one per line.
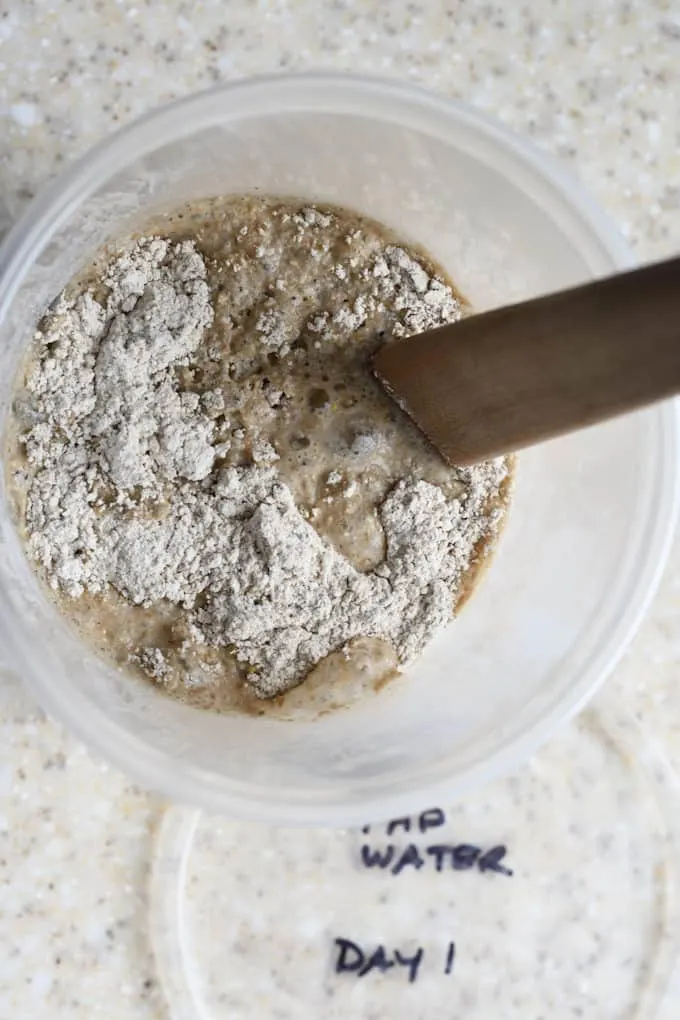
550 895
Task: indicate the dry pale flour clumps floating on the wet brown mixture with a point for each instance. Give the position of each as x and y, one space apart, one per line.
128 491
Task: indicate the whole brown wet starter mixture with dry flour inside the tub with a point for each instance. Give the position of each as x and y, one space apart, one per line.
210 479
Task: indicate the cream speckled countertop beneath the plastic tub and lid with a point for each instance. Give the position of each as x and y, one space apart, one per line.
597 85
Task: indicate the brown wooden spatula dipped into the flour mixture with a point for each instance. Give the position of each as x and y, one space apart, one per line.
505 380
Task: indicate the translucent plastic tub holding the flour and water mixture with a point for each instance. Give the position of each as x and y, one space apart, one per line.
593 515
